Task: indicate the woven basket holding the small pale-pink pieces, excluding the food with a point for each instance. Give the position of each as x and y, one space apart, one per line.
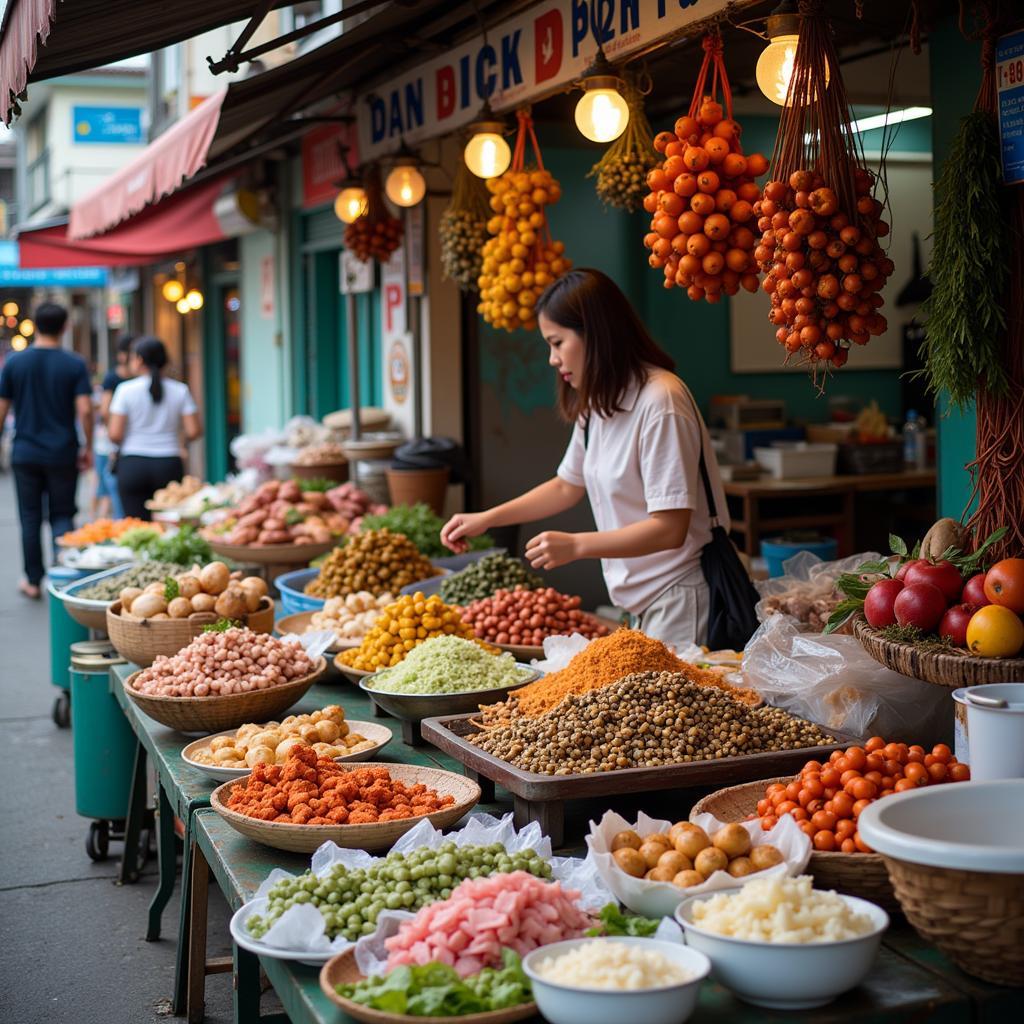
216 714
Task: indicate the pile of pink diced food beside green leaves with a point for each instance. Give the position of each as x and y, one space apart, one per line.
468 930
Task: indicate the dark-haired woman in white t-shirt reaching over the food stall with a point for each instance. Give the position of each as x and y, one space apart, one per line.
635 453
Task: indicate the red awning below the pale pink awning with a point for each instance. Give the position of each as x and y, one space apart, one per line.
186 221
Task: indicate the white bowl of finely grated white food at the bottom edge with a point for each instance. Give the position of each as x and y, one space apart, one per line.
669 1005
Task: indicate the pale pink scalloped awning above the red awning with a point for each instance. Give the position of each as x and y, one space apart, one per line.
156 173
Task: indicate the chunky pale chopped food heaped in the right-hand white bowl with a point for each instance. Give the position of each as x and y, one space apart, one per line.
782 910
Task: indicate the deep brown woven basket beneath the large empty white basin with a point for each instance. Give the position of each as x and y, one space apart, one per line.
976 919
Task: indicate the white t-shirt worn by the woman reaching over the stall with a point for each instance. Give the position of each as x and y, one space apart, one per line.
646 459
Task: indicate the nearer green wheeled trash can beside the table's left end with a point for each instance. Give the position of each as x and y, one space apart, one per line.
104 744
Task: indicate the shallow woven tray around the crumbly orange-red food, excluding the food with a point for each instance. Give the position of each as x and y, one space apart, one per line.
376 836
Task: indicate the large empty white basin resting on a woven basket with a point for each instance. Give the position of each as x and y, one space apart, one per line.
973 827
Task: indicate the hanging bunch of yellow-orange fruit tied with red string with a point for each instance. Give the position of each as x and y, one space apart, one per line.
520 260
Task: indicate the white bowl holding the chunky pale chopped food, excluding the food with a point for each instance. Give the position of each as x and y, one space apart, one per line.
787 975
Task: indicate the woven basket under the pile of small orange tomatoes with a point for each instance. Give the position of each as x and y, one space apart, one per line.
861 875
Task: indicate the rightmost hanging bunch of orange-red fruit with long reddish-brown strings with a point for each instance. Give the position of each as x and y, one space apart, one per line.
821 225
